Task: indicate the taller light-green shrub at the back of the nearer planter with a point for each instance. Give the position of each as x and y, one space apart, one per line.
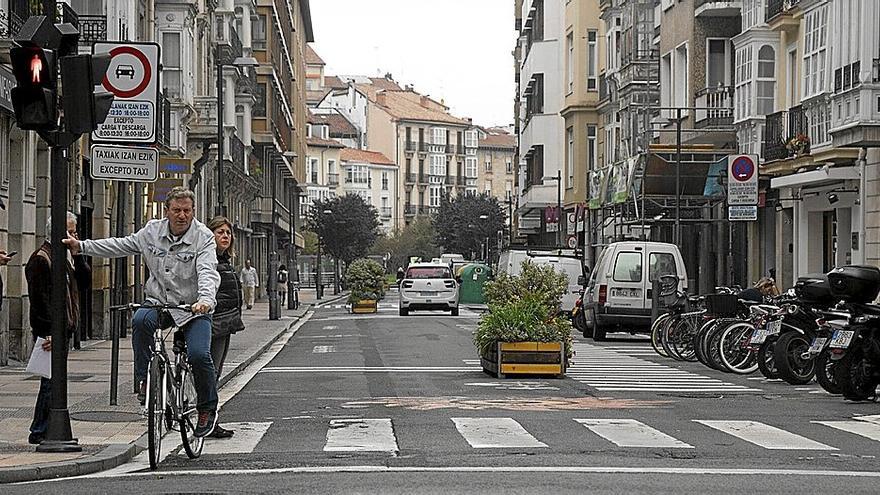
538 282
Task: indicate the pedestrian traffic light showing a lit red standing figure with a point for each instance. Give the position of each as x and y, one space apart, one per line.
34 98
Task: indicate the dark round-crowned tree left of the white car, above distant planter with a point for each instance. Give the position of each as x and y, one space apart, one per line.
347 226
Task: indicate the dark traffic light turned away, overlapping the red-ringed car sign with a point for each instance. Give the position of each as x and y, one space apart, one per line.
84 108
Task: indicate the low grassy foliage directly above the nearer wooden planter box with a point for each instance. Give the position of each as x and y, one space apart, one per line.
524 320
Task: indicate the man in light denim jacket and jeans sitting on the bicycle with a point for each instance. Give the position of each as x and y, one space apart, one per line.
180 254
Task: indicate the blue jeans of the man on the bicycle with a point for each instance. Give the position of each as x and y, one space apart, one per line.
198 350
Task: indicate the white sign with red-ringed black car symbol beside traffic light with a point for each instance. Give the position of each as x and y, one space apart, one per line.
133 78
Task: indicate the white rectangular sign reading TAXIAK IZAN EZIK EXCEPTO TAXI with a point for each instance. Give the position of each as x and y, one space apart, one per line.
125 163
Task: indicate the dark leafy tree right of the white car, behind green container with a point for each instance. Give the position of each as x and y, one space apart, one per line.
464 223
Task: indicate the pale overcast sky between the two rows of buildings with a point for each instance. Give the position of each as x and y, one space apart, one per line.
457 50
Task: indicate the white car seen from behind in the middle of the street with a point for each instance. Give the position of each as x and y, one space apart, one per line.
427 286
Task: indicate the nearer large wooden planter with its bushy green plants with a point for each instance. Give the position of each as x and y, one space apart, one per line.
523 333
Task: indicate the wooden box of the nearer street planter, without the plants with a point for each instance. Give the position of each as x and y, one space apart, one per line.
525 358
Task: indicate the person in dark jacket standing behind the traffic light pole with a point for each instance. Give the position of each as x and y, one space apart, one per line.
38 273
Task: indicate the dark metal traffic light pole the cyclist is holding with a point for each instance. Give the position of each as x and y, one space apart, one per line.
59 437
